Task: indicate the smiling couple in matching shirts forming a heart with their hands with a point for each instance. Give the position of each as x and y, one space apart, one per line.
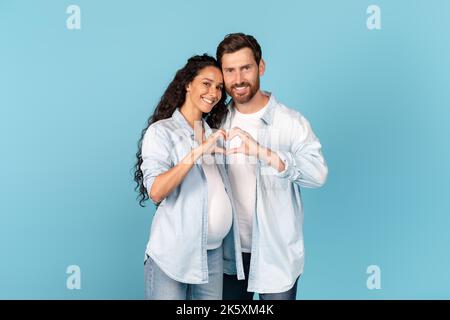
229 213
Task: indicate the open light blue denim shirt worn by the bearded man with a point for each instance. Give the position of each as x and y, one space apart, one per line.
277 254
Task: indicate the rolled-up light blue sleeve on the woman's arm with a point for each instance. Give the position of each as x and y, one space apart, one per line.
156 157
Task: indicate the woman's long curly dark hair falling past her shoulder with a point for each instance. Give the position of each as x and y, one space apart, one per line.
173 98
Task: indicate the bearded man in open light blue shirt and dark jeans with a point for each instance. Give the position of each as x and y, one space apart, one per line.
272 153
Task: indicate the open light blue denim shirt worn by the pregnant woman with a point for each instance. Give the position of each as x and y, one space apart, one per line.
179 231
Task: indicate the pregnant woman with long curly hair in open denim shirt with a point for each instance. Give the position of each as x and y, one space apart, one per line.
180 168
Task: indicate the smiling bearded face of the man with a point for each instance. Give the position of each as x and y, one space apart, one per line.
241 75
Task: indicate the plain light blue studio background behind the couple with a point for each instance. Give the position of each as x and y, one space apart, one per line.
73 103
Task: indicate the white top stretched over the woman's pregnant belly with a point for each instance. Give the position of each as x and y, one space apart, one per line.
219 206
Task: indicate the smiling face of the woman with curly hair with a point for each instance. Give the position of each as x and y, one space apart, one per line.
206 89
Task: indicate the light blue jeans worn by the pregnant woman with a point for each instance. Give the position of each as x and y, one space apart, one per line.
159 286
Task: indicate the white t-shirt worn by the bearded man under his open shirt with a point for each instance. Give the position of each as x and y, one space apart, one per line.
242 172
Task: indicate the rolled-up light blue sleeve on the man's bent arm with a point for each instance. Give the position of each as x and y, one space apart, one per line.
304 162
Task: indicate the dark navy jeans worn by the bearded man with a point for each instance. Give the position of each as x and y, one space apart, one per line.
234 289
